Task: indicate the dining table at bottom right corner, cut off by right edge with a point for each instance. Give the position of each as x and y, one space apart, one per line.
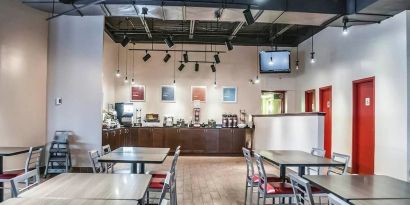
362 187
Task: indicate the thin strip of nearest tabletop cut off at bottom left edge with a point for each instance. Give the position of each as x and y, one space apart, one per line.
48 201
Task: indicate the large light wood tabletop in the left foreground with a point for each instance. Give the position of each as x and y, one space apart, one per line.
92 186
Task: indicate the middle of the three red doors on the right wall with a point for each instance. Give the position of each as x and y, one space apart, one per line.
325 105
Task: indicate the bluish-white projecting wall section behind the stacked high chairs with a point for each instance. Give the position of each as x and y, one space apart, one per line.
74 73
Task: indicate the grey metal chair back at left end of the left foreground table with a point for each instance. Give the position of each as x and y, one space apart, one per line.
33 177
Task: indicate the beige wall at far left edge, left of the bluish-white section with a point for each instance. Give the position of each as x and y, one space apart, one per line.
23 77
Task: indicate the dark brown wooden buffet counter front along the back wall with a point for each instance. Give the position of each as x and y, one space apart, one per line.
195 141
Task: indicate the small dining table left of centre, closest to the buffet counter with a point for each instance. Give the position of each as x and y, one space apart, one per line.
136 156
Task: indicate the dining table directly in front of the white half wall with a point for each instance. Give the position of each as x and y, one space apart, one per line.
295 158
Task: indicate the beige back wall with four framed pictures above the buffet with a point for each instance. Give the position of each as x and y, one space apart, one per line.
237 67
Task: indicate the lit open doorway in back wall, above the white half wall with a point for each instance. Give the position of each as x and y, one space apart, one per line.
273 102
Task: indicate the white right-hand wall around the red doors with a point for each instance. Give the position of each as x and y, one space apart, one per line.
373 50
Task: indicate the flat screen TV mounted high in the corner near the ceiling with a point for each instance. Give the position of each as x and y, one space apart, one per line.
274 62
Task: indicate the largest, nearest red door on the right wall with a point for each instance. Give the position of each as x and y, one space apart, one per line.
363 126
